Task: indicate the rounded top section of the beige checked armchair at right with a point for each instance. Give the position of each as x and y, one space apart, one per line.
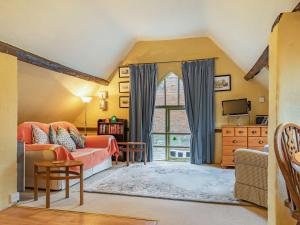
251 157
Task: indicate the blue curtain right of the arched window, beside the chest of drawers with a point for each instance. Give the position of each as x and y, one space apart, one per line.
198 82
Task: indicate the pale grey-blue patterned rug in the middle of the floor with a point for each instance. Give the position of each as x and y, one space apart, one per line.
168 180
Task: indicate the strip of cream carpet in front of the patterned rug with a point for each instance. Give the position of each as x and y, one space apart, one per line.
168 212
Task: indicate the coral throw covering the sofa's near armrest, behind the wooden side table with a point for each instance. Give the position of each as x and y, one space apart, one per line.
60 152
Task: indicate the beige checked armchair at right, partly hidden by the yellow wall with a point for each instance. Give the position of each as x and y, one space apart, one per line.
251 172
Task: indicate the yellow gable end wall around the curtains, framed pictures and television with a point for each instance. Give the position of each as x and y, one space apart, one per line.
183 49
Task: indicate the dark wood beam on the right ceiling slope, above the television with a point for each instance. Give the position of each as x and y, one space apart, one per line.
263 60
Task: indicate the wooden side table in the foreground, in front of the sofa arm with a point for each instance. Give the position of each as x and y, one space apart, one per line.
51 169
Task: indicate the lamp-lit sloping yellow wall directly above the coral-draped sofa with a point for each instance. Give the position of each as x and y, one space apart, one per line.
47 96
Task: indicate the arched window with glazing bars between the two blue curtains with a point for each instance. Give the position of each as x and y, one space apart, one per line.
170 133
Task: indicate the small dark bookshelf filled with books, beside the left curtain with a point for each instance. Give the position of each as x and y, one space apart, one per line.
117 129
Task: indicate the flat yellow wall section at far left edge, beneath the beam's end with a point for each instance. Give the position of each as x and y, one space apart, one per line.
8 128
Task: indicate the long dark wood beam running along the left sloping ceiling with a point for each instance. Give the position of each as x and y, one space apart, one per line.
31 58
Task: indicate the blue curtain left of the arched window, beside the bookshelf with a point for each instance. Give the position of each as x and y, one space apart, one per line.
143 79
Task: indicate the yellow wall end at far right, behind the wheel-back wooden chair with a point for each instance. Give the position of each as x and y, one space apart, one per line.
284 103
